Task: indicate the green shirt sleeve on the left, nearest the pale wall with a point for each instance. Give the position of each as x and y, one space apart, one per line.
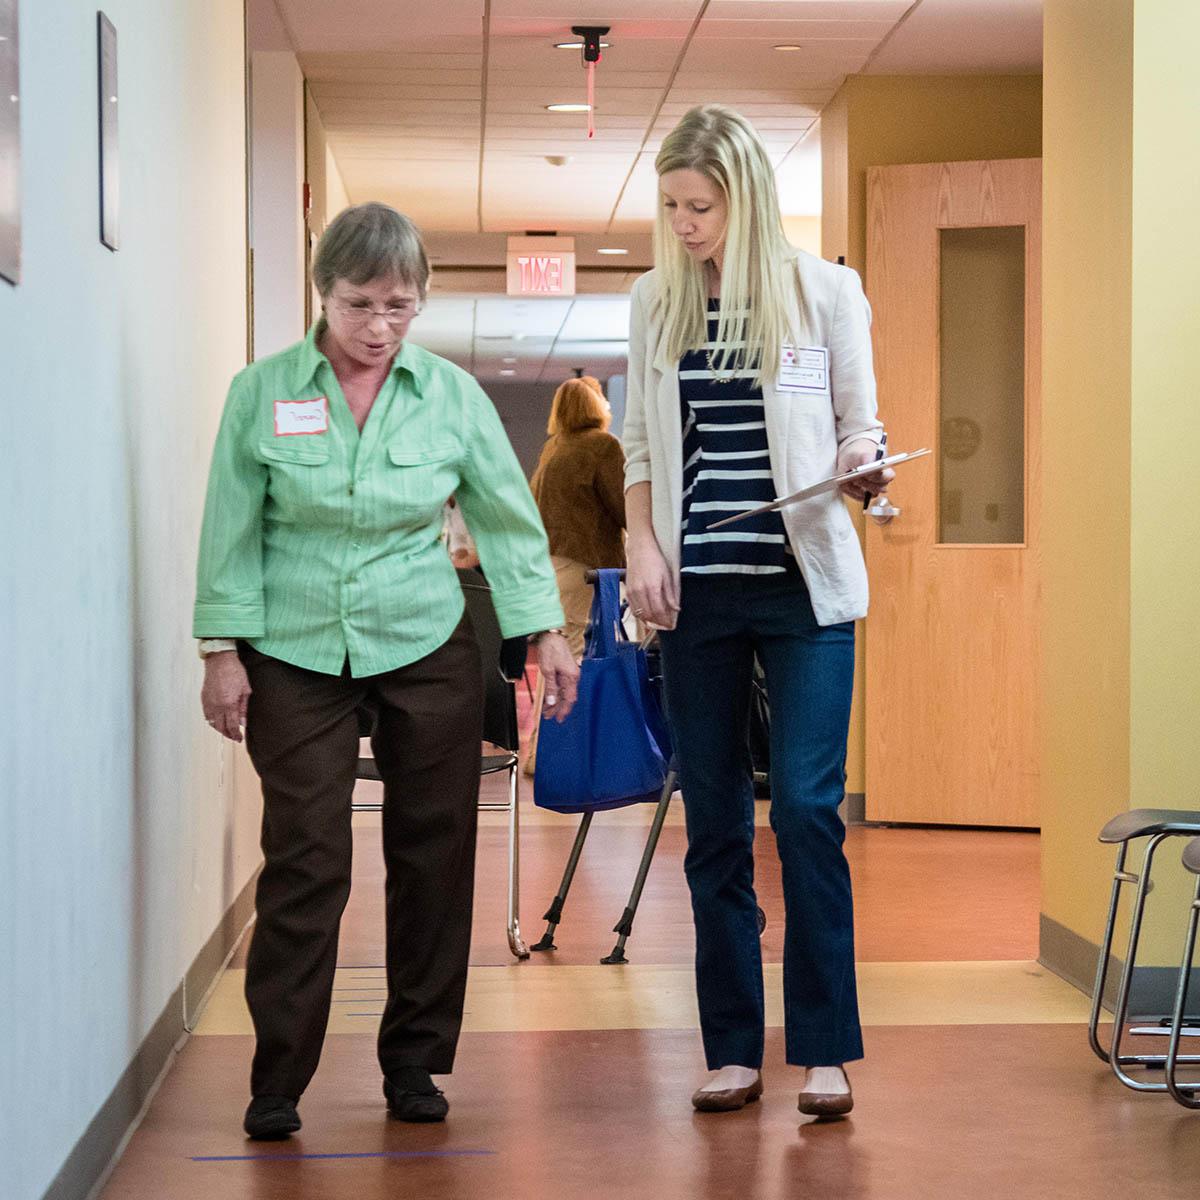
230 573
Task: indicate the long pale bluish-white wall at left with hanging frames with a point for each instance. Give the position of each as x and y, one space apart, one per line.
121 839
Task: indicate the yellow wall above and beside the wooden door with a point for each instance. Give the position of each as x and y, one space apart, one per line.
883 121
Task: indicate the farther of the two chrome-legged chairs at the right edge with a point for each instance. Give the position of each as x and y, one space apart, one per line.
1157 825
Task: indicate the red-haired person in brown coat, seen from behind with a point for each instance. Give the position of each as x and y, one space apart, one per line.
580 489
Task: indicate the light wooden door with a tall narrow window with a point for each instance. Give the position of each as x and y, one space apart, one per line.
953 274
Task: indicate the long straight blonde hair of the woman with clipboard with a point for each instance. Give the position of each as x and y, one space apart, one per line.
758 278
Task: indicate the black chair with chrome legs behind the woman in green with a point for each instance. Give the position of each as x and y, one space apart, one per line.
500 729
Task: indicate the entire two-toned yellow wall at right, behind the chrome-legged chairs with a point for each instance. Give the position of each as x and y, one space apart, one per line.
1123 373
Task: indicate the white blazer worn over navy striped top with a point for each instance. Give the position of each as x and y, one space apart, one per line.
805 430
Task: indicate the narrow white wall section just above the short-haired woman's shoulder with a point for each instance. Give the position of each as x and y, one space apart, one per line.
278 232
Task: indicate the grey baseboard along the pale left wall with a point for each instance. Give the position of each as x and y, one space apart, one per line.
95 1154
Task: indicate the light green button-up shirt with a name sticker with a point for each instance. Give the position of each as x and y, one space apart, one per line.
321 543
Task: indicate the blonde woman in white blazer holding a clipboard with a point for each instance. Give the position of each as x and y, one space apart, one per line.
749 377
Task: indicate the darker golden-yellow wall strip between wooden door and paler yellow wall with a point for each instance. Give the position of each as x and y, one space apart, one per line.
1087 364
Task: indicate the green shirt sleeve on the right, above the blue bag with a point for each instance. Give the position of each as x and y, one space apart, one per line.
501 513
